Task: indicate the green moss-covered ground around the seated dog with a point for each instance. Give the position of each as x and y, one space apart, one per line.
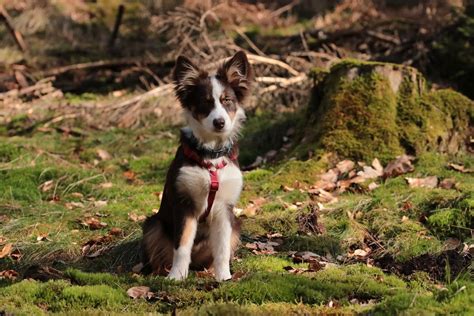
51 183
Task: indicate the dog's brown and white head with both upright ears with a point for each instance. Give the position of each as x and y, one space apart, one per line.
212 103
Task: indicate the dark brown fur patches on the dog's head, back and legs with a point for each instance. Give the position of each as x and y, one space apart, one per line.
169 228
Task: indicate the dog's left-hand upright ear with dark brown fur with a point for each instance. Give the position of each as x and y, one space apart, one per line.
186 76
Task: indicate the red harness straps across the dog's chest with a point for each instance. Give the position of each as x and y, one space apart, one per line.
212 168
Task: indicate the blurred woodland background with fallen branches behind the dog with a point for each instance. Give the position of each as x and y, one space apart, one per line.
112 48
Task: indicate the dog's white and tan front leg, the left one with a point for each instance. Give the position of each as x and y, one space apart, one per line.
182 251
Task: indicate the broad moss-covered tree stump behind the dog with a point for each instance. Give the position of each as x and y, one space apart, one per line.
363 110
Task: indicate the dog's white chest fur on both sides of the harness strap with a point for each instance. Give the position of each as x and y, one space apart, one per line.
195 182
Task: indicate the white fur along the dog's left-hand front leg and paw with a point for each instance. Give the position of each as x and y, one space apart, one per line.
182 256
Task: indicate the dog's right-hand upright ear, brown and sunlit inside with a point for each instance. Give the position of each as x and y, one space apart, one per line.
238 74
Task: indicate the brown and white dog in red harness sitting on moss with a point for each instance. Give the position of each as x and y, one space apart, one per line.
195 226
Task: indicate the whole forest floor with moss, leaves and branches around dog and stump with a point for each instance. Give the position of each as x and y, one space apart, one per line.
81 167
